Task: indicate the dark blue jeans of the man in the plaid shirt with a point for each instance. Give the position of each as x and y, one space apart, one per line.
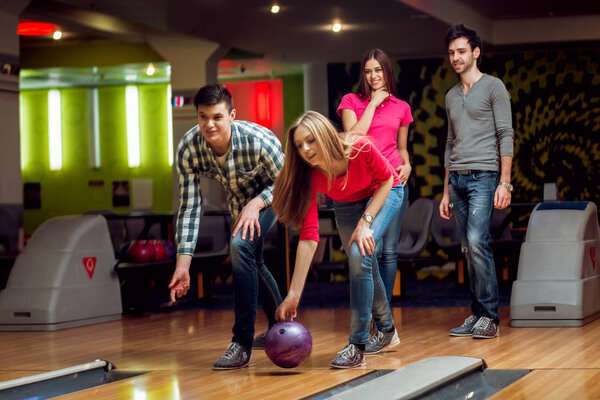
250 272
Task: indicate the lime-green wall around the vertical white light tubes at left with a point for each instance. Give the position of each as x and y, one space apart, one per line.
68 191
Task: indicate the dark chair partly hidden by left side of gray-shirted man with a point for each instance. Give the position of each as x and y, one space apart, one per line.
445 236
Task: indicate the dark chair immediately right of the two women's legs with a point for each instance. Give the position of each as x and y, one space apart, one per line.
414 236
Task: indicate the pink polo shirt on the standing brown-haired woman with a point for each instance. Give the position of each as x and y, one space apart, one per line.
389 117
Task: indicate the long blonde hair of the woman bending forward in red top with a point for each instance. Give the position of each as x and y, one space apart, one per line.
292 194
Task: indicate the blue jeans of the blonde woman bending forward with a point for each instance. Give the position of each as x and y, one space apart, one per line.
367 293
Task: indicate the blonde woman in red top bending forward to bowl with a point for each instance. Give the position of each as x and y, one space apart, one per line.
367 194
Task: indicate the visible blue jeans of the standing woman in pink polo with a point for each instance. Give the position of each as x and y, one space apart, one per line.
387 250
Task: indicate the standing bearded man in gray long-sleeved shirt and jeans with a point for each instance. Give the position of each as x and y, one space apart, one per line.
477 175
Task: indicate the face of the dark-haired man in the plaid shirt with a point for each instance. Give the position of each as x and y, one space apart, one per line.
215 123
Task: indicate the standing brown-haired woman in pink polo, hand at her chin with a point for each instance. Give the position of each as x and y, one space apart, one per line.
374 110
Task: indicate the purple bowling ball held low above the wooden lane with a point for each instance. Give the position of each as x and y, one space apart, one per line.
288 344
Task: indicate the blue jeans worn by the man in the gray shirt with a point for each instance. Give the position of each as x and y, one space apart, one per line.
472 200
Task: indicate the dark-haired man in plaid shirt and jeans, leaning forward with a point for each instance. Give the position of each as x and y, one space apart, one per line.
245 158
